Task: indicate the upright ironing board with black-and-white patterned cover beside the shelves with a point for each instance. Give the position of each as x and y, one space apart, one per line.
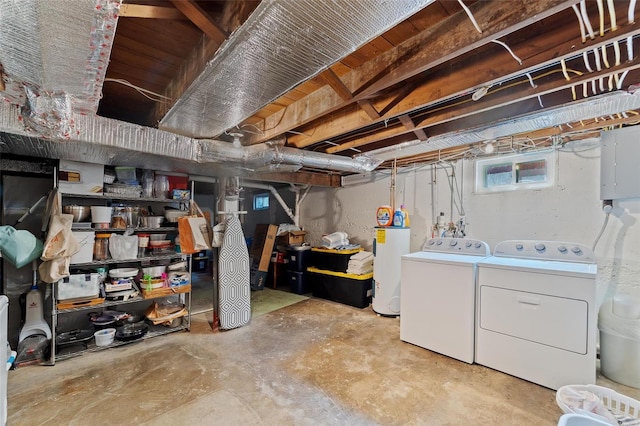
233 272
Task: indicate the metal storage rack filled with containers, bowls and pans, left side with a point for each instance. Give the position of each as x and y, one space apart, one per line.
129 257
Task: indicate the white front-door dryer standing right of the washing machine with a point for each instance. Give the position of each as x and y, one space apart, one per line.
536 316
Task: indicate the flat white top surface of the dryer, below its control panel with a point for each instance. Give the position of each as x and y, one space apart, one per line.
575 269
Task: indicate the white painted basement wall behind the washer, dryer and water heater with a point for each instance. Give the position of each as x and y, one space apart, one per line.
570 211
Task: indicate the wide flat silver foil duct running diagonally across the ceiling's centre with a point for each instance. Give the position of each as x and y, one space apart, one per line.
282 44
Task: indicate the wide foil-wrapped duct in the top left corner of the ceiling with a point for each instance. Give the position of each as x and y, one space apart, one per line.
57 47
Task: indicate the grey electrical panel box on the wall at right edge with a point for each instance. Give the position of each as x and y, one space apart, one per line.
619 171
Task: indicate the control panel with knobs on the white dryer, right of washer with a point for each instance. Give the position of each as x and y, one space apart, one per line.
545 250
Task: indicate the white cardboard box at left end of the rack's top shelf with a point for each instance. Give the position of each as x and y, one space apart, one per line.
75 177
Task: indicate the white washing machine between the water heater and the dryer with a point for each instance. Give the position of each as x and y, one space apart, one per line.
438 291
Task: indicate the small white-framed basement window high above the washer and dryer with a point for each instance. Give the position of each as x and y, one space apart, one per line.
520 171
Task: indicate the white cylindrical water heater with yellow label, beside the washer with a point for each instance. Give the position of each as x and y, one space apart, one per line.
389 245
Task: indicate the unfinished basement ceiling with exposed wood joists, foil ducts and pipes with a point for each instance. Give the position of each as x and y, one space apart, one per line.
325 87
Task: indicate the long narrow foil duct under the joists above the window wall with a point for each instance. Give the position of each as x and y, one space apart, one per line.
595 106
